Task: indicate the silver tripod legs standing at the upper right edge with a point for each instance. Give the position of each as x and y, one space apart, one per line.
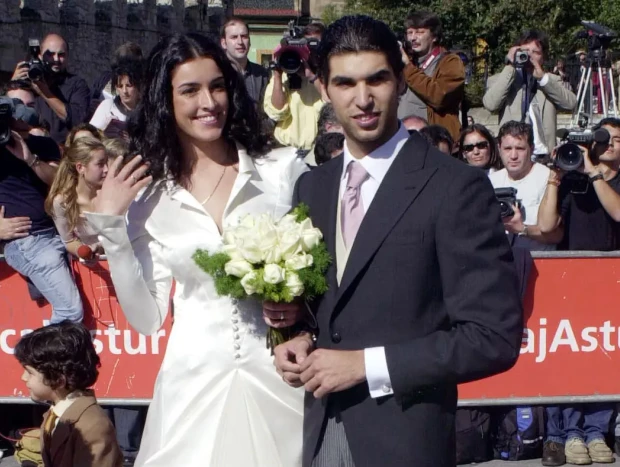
596 63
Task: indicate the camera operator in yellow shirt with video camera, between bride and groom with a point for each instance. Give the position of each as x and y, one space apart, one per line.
293 95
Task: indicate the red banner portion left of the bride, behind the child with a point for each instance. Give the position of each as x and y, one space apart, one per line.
129 361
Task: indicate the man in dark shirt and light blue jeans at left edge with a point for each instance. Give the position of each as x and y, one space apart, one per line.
31 244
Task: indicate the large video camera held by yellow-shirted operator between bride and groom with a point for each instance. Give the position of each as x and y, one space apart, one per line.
295 50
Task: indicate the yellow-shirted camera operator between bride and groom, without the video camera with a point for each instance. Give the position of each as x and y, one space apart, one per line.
295 108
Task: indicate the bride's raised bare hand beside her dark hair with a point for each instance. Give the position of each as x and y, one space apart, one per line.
121 186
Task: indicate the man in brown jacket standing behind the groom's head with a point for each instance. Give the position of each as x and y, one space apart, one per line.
435 78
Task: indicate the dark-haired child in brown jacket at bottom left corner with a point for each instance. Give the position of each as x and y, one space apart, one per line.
60 365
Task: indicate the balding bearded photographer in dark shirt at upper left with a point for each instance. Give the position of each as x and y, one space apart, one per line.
62 98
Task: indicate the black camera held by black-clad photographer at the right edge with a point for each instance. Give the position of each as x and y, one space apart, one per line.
569 156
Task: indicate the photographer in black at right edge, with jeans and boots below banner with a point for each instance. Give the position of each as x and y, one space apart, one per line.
588 215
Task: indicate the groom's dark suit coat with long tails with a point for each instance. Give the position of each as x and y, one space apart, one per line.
431 278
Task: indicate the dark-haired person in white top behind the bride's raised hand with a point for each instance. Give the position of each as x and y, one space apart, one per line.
111 115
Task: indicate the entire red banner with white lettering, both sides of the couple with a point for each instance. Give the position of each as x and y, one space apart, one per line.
571 340
